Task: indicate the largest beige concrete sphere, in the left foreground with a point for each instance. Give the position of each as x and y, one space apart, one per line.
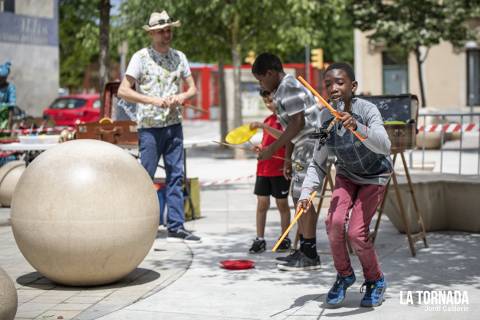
85 213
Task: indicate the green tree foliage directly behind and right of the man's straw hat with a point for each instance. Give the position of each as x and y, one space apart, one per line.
209 32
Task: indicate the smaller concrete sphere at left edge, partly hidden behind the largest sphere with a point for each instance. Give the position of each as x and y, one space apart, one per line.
10 173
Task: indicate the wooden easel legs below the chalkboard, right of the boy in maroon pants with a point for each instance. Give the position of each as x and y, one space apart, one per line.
412 238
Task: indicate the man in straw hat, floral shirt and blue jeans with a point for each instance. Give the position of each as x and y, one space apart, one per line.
155 73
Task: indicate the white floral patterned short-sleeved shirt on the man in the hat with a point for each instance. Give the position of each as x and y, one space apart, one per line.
158 75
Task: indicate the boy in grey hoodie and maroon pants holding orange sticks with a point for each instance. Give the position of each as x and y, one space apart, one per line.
363 170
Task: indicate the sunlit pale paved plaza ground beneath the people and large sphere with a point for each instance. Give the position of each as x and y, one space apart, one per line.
179 281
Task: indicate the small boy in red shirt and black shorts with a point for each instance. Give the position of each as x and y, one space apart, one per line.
270 180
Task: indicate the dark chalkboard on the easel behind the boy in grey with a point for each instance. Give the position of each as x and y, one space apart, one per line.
401 107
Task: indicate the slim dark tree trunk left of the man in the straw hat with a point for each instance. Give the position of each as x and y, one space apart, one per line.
104 7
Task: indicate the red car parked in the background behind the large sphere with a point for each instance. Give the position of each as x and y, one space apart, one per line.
69 110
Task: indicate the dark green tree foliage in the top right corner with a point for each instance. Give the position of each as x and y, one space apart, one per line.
411 23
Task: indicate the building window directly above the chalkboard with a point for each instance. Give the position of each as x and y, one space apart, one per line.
395 71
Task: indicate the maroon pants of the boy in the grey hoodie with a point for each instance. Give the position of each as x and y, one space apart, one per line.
362 201
